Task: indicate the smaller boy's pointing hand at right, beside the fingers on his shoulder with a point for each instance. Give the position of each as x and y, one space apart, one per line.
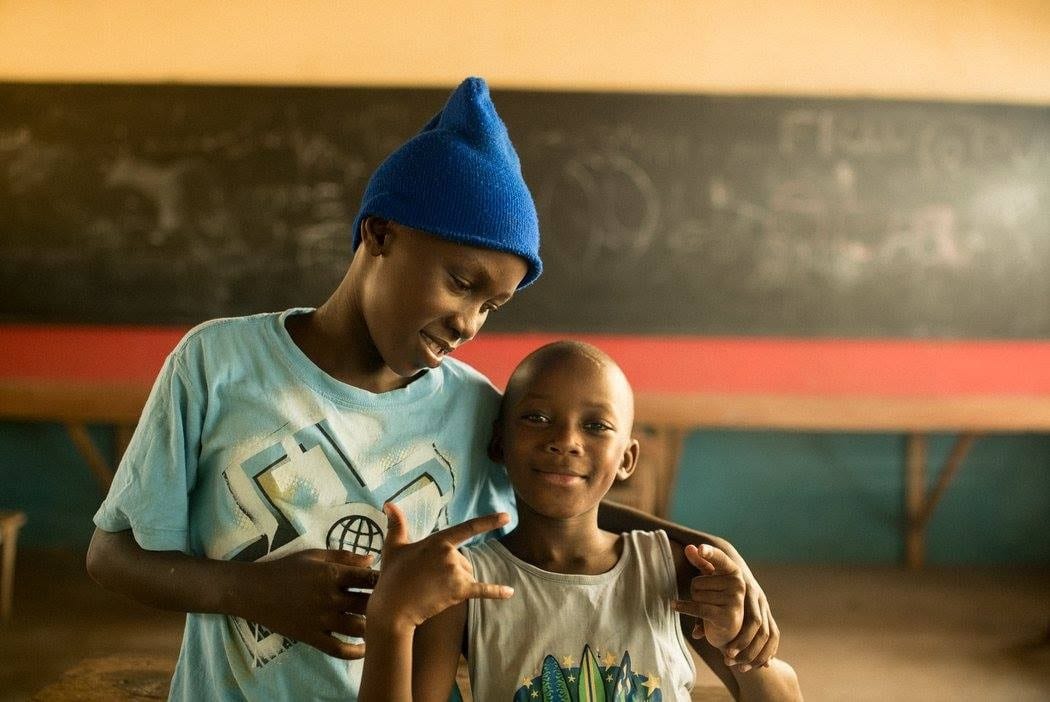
717 597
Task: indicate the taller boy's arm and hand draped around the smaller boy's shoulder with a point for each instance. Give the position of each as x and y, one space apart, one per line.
760 636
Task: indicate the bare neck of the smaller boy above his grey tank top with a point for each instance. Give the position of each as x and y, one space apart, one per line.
573 546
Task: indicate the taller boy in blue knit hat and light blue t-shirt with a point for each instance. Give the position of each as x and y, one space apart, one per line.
249 496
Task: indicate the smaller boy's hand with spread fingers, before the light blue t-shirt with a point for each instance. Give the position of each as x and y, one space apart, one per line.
423 579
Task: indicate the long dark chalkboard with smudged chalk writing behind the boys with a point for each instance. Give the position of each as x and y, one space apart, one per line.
661 215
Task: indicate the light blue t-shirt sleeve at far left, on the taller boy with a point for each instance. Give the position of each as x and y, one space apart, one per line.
151 490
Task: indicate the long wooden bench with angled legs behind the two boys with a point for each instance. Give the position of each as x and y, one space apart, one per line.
664 421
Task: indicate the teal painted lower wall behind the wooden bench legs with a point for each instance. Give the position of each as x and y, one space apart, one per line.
780 498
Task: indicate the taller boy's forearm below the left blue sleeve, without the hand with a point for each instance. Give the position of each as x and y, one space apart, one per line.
166 580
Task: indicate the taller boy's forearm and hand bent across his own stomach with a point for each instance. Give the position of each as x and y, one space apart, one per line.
255 591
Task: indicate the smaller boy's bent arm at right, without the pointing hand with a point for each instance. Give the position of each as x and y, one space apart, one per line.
774 682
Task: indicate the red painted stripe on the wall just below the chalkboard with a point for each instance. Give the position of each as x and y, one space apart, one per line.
663 365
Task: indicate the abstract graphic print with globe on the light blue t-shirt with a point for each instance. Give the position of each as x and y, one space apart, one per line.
304 493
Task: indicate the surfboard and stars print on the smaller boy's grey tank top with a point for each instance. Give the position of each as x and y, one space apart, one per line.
596 679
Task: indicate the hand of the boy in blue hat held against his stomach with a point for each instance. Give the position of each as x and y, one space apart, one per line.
322 605
